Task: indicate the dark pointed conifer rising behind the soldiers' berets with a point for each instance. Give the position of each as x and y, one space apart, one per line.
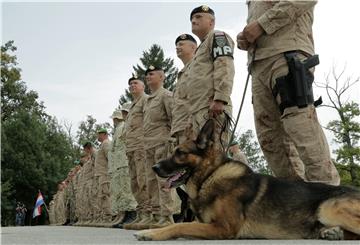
154 56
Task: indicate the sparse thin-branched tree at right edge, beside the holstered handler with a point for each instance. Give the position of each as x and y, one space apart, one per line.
346 128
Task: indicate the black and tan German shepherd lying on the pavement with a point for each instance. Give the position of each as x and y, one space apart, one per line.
231 201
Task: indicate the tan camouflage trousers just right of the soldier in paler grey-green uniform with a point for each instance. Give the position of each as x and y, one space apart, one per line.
138 178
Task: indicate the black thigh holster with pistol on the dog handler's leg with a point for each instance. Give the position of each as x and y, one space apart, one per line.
295 88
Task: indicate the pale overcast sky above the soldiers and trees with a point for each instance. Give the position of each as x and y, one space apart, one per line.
79 56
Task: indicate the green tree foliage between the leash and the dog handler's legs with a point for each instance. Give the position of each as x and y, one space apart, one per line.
251 148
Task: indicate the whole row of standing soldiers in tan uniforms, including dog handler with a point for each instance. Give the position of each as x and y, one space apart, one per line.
288 131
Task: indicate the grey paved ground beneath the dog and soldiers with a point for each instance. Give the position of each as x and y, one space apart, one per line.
86 235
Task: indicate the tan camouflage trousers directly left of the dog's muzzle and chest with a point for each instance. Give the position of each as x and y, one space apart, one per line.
161 202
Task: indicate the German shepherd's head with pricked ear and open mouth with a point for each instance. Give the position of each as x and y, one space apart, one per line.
187 157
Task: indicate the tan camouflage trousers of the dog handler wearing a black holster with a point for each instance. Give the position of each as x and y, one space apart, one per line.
293 143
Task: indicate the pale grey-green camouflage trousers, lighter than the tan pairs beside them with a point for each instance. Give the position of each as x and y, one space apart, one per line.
122 198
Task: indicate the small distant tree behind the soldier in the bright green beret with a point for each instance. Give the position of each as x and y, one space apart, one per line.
88 130
